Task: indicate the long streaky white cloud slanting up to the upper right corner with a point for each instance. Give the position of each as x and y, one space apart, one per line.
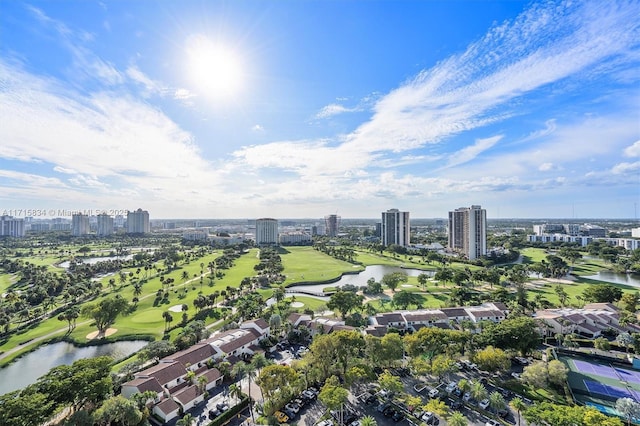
544 45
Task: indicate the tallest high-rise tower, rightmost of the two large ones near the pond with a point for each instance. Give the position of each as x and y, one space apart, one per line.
468 231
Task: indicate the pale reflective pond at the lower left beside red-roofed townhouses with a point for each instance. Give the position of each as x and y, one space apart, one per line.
27 369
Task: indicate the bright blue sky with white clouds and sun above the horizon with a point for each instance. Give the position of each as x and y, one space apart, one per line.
299 109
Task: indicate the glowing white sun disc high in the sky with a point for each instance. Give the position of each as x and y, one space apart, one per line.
213 67
